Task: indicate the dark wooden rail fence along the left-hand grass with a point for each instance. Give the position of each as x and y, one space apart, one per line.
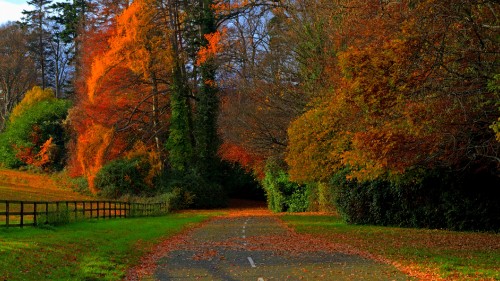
30 213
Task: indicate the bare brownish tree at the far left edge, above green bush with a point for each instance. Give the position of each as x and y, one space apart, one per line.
17 68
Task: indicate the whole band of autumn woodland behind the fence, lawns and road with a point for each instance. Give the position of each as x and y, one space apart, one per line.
385 111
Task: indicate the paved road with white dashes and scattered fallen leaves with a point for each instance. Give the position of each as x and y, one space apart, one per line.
260 248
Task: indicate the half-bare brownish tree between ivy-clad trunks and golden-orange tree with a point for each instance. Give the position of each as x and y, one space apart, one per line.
277 60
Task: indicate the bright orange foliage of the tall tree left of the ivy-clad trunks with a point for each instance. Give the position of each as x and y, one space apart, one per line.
122 94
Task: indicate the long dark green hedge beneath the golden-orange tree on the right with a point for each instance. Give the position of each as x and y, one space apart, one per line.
422 198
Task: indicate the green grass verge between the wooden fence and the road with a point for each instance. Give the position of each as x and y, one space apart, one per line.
90 250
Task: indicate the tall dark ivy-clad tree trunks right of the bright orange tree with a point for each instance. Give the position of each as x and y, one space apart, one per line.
193 141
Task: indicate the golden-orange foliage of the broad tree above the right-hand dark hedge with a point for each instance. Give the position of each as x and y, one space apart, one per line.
406 93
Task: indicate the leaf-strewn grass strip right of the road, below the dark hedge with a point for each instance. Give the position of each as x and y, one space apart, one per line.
453 255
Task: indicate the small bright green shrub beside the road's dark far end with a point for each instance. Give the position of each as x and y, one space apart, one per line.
282 194
